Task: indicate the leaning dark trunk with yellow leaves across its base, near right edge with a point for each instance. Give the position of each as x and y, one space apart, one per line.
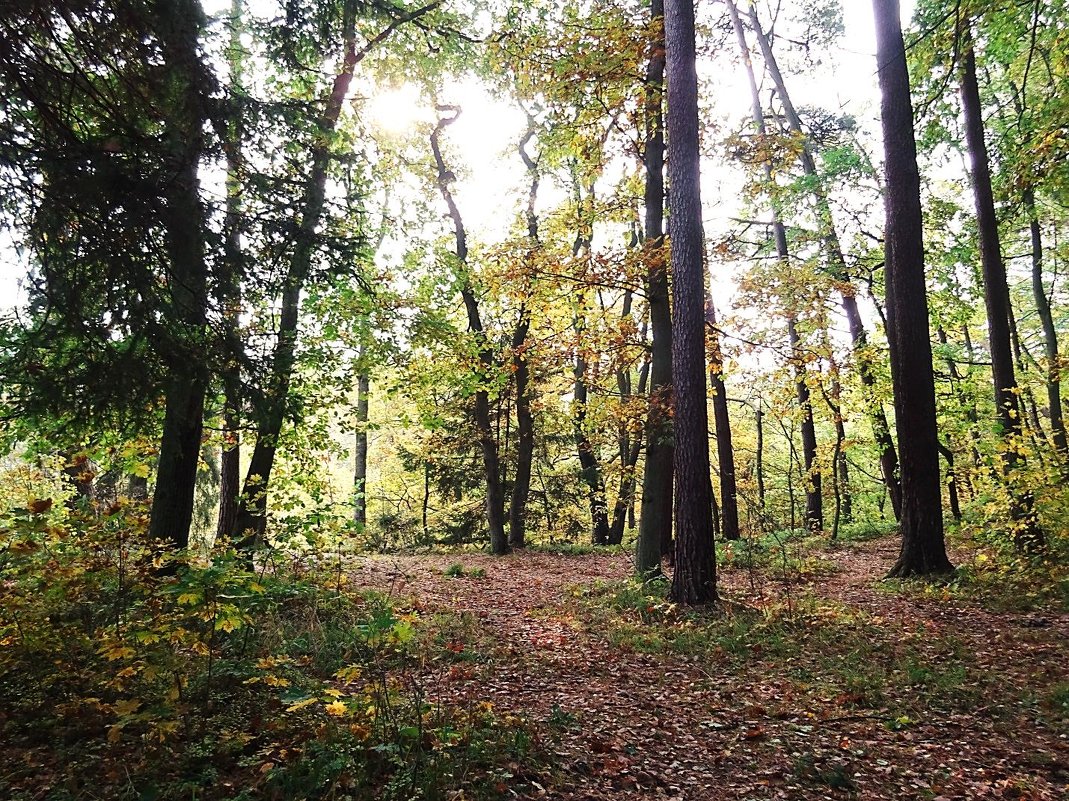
1028 534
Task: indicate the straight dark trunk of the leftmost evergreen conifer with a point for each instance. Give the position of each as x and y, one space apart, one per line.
173 503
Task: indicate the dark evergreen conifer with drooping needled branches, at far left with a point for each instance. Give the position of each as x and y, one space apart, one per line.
104 135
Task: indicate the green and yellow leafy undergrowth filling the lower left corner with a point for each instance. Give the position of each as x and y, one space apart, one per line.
127 673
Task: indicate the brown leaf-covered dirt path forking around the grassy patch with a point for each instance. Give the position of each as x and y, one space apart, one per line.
630 726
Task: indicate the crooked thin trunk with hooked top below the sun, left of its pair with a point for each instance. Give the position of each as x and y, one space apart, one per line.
488 444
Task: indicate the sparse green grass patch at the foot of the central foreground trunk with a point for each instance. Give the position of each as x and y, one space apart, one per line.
826 649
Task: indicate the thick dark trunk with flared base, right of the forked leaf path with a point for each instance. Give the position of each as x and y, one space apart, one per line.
924 550
